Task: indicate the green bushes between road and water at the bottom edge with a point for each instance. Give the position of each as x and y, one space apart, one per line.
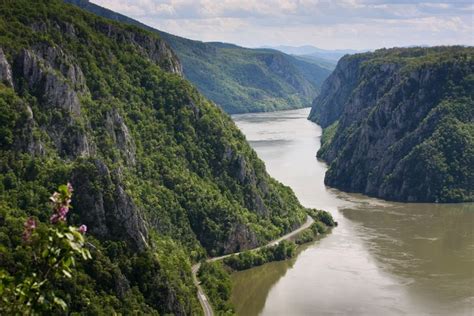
217 284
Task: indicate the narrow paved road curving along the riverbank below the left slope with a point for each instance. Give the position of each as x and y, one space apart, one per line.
206 306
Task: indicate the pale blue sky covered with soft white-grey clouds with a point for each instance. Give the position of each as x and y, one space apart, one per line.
355 24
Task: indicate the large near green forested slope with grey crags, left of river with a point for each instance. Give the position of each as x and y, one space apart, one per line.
161 176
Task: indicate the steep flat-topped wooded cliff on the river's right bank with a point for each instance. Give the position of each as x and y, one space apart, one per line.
399 124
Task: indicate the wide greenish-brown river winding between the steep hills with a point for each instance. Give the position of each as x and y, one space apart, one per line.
384 258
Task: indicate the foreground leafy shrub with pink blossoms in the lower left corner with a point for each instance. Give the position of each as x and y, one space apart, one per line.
48 256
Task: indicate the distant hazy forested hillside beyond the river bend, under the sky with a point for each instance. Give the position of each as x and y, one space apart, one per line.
236 78
